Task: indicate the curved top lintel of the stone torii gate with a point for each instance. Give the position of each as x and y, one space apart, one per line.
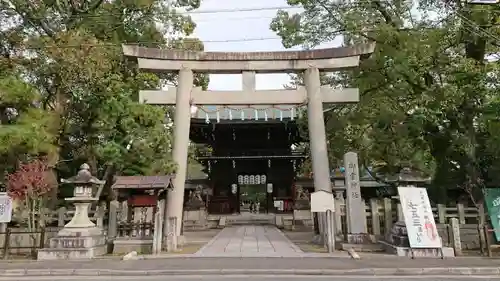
183 55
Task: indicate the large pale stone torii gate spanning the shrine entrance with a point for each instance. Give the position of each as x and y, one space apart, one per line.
184 96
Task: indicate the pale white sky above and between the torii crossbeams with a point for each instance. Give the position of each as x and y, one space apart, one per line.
241 25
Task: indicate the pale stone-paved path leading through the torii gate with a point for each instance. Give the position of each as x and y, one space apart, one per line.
250 241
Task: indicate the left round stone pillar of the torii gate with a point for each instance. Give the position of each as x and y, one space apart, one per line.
175 198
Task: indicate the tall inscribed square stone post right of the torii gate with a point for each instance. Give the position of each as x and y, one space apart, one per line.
355 209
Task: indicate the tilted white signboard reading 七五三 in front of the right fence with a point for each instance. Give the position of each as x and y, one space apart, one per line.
419 220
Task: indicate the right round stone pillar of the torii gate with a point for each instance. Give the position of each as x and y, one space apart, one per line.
317 135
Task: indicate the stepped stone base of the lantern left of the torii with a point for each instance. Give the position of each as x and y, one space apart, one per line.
75 243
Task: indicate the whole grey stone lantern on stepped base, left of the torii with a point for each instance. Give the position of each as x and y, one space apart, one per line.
80 238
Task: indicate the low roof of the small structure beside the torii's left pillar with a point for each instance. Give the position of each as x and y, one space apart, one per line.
142 182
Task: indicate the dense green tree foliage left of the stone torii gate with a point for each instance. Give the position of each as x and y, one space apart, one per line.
72 60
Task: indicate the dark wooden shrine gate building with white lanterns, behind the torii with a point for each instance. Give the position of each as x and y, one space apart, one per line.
251 151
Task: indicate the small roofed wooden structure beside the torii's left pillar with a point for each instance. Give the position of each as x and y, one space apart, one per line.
135 229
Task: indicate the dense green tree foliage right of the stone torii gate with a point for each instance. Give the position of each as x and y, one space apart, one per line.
427 93
